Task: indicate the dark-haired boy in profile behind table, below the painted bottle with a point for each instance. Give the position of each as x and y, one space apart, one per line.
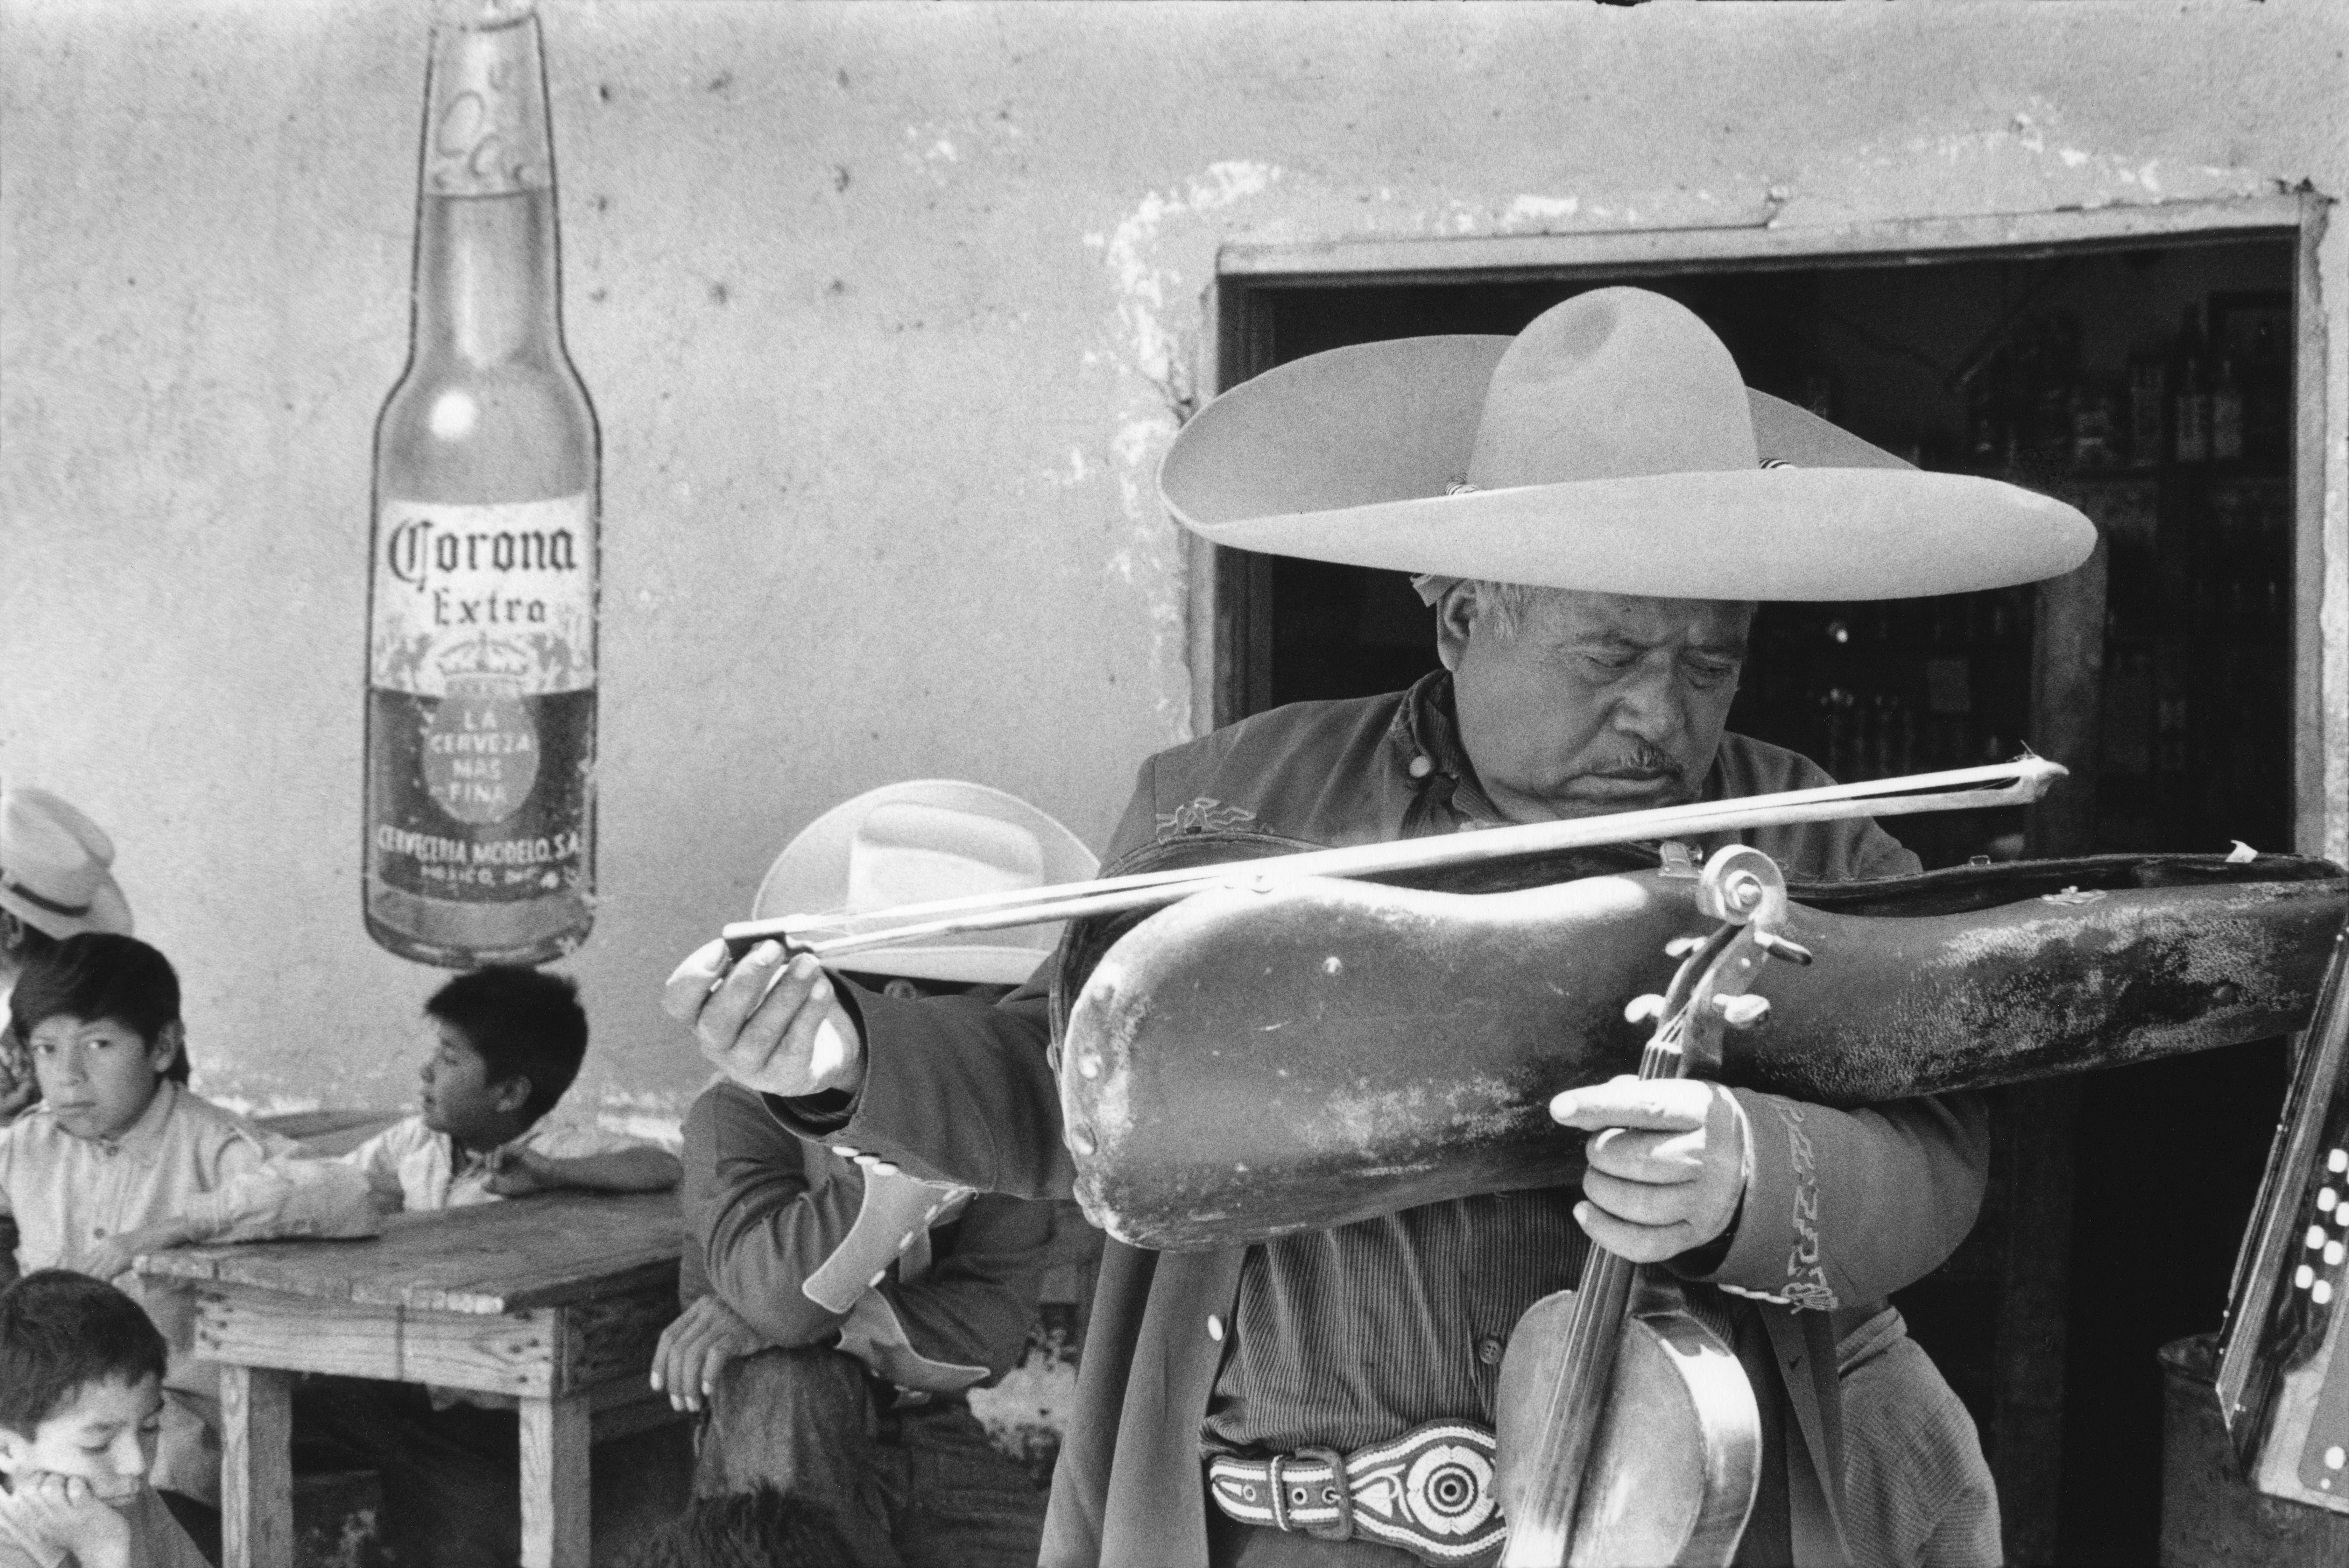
506 1043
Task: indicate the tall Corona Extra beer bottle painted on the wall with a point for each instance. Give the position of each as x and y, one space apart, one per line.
483 581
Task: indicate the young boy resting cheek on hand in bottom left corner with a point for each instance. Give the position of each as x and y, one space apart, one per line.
81 1410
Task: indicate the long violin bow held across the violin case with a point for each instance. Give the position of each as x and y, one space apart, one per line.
1956 790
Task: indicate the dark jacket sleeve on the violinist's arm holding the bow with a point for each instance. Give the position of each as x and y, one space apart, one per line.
962 1093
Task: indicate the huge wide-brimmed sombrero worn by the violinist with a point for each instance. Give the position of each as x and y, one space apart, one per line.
1610 447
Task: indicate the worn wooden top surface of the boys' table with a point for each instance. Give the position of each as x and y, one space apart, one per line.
504 1257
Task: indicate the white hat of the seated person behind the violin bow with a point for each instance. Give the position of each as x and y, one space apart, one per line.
920 842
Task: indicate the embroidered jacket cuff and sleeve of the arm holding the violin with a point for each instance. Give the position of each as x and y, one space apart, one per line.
1850 1205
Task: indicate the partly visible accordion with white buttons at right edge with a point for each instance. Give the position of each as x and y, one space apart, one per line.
2284 1356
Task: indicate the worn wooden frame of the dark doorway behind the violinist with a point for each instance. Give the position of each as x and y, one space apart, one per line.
1230 649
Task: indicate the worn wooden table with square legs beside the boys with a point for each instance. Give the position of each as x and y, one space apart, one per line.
553 1302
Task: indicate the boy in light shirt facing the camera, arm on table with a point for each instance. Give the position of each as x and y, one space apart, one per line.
123 1161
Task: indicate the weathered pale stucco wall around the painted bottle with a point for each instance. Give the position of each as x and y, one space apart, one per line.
887 313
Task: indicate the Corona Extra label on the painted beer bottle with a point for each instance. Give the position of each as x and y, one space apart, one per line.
483 705
